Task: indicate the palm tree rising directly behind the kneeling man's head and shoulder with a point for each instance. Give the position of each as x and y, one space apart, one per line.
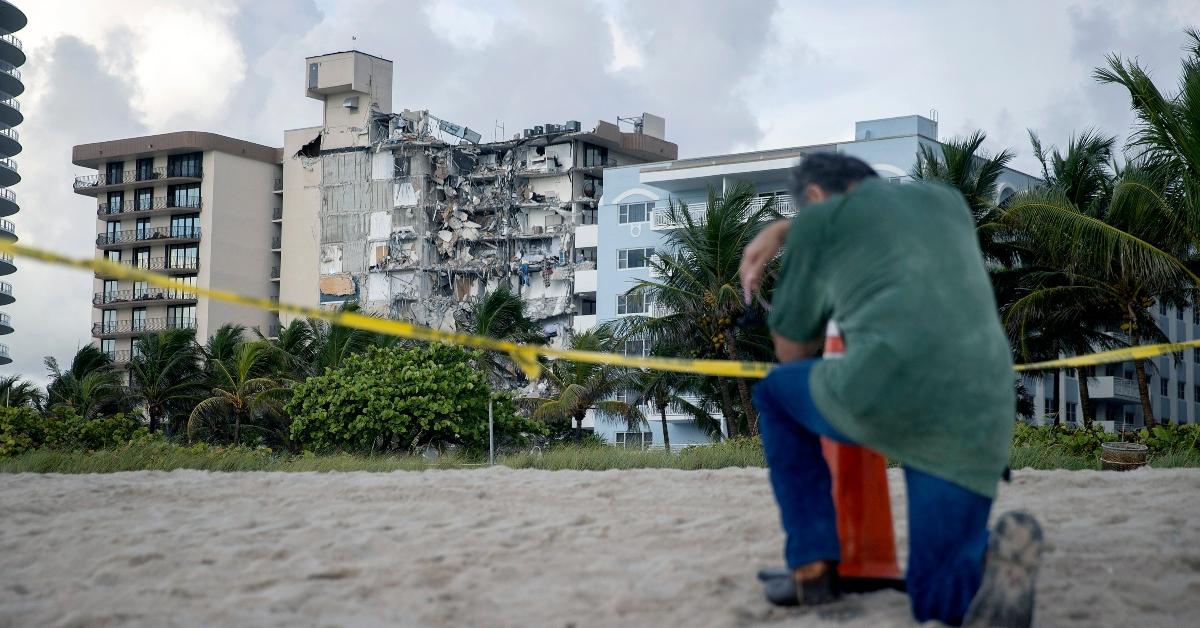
963 165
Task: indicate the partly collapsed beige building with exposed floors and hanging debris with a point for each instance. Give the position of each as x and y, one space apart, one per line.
415 218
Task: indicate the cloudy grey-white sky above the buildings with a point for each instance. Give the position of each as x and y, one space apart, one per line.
729 76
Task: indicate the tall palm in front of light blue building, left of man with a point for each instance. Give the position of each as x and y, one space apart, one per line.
701 294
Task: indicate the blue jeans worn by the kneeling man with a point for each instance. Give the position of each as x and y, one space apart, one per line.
947 524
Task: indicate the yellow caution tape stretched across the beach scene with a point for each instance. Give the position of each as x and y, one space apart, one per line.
525 356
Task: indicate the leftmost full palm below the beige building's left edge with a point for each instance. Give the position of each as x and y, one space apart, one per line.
91 387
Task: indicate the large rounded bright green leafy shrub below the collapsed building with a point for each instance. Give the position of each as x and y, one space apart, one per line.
403 399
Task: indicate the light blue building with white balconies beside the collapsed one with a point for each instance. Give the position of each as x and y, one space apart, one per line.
633 219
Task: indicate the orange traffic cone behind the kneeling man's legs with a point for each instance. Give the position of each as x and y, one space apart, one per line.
861 499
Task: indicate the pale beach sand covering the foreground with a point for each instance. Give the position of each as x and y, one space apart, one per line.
526 548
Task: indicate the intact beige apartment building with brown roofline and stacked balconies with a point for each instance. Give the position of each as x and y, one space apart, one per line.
200 207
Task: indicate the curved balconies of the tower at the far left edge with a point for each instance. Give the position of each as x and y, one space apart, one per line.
13 57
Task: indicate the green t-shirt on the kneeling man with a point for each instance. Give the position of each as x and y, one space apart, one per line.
928 378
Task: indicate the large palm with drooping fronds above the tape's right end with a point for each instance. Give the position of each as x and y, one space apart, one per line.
1114 264
